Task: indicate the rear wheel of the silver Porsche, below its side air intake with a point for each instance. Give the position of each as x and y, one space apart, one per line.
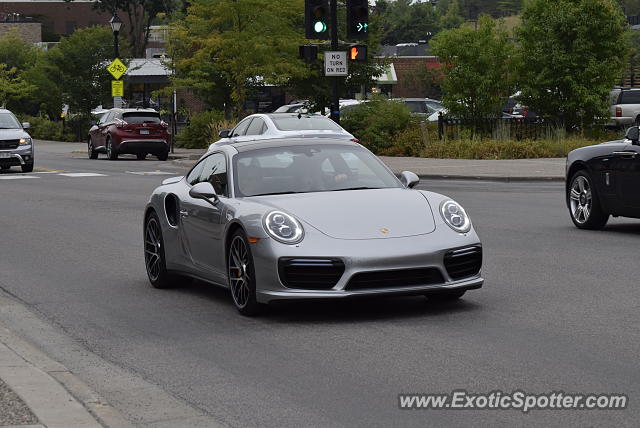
154 257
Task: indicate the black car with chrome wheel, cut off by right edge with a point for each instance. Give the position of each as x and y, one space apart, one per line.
603 180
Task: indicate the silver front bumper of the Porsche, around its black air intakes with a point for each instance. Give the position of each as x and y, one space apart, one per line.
363 256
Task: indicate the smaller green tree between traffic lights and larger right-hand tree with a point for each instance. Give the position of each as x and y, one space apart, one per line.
478 69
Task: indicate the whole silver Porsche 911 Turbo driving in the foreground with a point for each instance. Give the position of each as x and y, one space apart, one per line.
307 219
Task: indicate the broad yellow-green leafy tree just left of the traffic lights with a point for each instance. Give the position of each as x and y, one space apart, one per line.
226 48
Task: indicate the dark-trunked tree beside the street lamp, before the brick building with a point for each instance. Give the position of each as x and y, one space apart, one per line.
140 15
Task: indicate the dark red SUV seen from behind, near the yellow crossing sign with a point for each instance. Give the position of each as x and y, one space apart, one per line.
133 131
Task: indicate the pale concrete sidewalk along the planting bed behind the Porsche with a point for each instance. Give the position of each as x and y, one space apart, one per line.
547 169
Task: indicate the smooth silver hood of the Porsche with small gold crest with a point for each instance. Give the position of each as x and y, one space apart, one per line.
360 214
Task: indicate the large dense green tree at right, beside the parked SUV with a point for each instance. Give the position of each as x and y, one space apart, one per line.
572 53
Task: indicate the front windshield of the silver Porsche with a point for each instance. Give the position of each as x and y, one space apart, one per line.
304 168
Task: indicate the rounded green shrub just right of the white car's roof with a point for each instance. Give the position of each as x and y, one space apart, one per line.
377 122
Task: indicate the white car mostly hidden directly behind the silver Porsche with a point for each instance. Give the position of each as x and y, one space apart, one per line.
264 126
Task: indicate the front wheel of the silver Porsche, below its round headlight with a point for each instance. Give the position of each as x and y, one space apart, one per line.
241 275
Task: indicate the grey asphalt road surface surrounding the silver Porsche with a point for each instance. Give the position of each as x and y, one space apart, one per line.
559 311
